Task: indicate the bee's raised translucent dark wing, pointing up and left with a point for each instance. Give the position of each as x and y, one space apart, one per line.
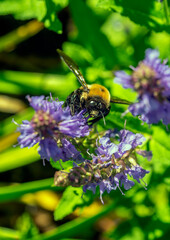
74 68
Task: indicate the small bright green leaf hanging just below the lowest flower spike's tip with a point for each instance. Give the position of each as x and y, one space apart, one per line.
71 199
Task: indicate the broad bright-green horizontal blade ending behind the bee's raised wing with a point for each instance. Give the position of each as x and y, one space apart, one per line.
36 83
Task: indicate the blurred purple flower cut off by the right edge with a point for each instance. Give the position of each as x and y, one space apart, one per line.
151 80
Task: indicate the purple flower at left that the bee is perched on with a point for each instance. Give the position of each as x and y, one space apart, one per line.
52 127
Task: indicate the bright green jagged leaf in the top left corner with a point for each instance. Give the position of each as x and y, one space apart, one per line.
43 10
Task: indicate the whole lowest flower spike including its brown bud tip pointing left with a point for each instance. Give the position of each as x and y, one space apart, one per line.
112 165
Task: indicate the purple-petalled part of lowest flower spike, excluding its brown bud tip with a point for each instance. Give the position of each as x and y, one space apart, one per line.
115 161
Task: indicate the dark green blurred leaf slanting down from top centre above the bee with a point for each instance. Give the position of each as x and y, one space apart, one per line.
89 32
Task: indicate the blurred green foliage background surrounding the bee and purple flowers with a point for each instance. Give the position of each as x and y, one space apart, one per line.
102 37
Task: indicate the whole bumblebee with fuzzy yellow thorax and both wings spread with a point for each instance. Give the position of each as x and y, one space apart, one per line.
94 98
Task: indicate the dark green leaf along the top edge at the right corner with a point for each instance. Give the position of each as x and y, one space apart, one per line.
146 13
